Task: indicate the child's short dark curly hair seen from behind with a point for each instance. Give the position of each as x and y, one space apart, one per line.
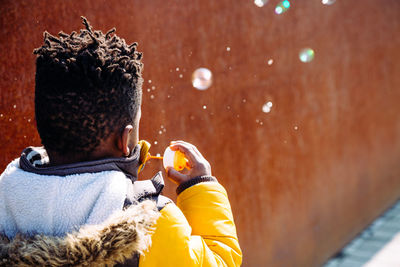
88 85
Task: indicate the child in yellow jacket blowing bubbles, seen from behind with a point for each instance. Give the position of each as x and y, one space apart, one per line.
77 201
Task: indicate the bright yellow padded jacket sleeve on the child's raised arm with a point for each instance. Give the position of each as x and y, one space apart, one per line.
199 231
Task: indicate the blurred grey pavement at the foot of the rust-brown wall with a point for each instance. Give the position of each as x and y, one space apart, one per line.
377 246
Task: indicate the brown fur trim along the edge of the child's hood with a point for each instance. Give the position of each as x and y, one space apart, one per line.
117 239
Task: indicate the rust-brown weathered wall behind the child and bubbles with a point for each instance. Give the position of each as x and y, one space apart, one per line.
297 195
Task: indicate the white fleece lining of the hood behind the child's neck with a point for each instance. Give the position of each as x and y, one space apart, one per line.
54 205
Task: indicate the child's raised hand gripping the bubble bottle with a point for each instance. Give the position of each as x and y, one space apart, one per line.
199 166
